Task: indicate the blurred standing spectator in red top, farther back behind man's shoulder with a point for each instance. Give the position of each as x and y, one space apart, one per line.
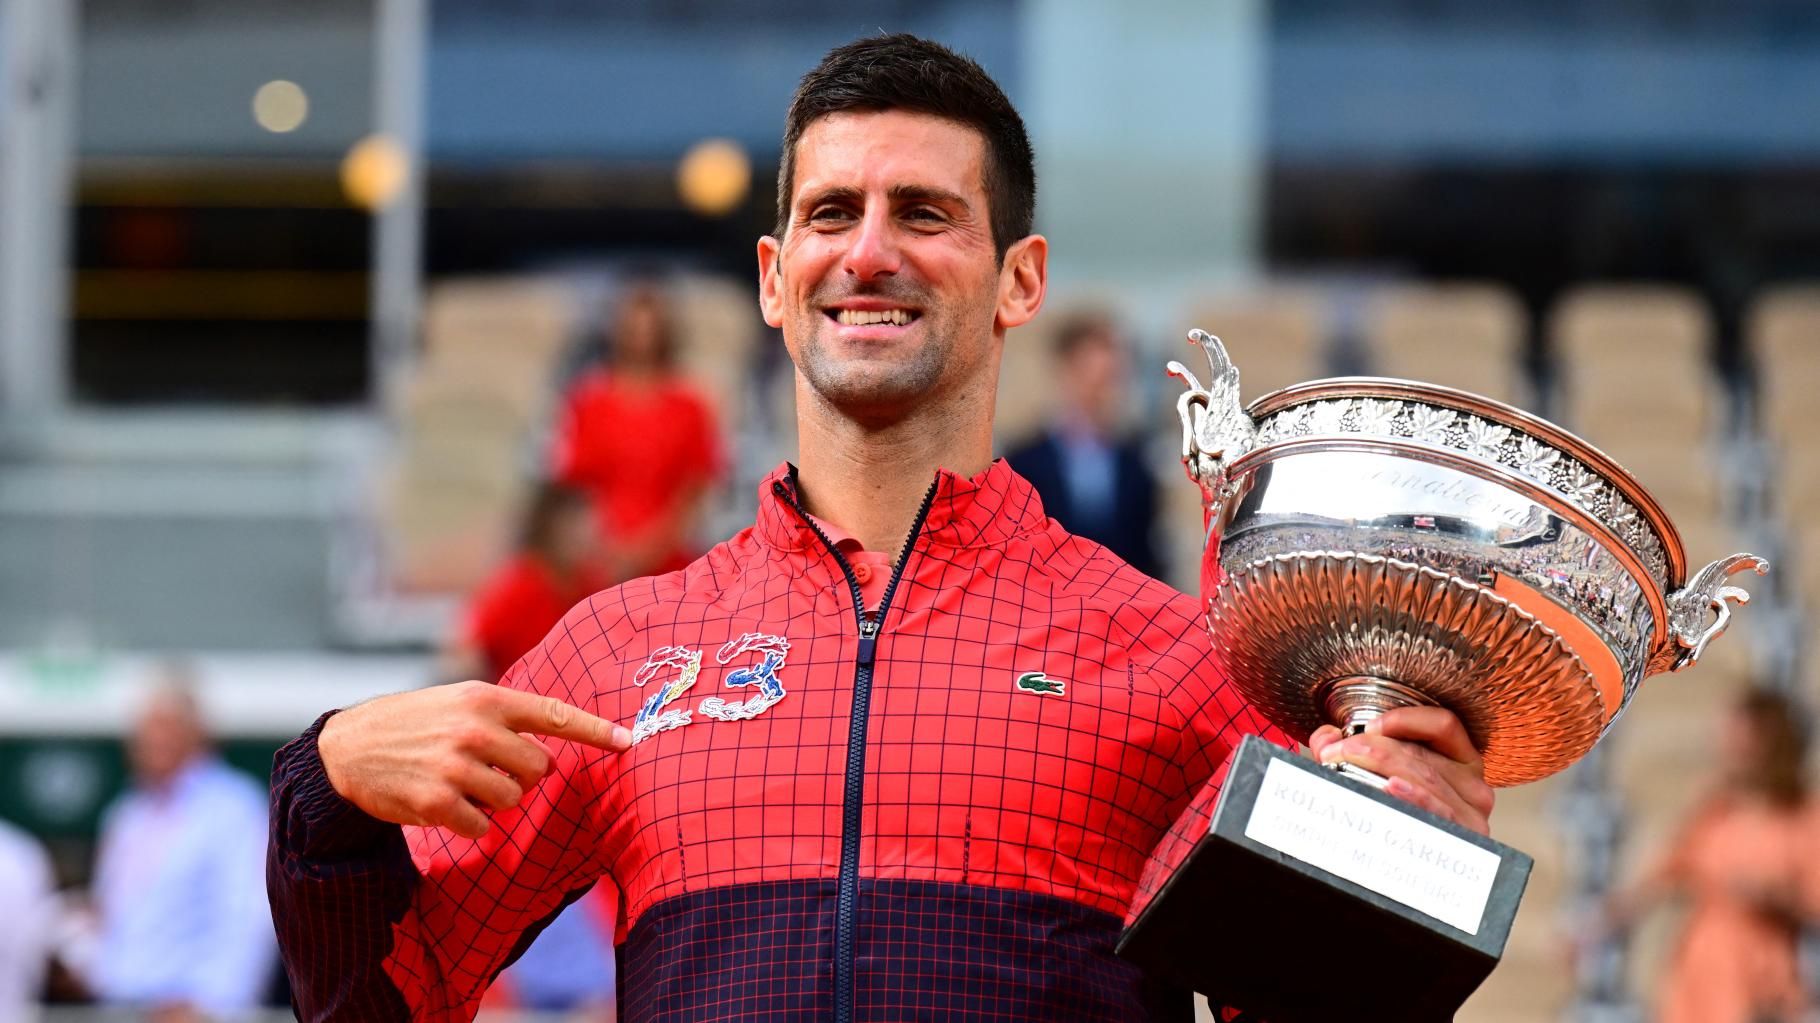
642 441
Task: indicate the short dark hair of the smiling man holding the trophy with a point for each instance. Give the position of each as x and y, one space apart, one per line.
911 74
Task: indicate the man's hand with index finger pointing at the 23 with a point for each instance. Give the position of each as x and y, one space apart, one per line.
447 755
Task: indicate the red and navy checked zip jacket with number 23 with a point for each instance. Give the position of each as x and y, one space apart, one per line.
938 809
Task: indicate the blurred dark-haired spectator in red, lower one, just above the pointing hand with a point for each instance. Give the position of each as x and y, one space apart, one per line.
556 567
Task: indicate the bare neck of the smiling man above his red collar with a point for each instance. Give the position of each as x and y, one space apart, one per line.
871 480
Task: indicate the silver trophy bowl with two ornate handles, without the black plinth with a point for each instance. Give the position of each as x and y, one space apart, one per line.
1379 543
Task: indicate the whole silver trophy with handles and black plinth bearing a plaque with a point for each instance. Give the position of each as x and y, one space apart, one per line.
1380 543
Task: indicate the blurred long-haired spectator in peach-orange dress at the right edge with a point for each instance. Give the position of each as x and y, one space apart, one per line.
1746 864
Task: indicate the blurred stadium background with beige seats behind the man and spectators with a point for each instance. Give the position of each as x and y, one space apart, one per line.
288 294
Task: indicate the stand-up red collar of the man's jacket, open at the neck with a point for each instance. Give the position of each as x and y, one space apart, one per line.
986 511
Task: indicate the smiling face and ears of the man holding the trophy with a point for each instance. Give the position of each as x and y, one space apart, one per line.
887 285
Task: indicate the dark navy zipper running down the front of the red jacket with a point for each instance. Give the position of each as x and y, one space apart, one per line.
853 802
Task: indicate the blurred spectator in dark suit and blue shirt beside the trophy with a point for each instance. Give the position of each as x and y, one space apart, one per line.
1091 474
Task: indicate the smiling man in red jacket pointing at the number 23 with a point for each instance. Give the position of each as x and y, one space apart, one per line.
898 751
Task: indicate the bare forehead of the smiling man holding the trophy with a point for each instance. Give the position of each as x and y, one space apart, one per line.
889 150
